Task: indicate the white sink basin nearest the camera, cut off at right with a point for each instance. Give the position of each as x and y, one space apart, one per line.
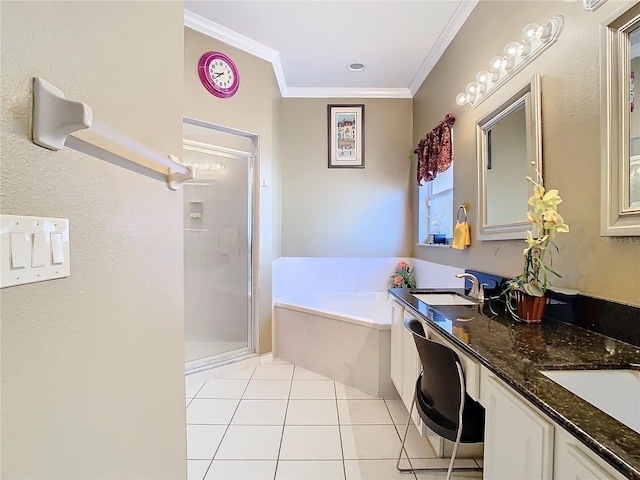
615 392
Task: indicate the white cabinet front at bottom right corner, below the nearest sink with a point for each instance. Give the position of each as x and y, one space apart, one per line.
572 460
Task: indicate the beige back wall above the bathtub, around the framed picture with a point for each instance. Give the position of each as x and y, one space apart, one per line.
346 212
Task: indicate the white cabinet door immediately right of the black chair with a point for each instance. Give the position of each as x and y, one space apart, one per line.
518 440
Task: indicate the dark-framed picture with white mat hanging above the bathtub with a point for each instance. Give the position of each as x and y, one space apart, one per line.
346 136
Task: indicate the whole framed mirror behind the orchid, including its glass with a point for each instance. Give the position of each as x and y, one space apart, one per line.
509 139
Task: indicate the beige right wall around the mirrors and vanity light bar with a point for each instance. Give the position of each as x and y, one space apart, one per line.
570 69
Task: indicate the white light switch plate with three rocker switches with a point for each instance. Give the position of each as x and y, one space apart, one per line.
40 249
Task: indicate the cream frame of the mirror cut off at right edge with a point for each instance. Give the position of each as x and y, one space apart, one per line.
615 218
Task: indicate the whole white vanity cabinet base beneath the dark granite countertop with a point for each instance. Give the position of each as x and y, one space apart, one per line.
521 442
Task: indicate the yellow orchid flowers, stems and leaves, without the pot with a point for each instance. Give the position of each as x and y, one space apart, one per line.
546 222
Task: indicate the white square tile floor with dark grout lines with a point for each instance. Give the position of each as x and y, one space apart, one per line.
278 421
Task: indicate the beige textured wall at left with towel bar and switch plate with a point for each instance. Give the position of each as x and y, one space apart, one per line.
92 365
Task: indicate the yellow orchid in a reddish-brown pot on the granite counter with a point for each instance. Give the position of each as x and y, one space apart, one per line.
529 288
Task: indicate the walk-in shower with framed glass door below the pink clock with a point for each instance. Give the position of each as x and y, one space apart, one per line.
217 247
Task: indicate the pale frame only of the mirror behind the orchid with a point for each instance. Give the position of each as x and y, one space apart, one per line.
529 95
